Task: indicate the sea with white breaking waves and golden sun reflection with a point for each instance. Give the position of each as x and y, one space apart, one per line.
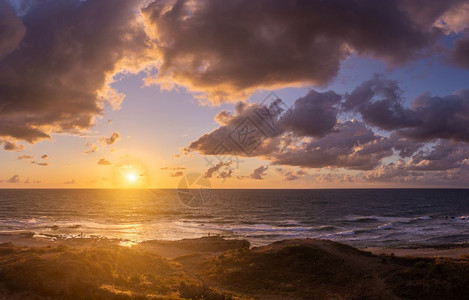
358 217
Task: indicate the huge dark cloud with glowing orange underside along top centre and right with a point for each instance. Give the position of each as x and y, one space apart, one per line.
228 48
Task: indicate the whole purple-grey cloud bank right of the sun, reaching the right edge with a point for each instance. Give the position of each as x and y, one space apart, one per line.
315 132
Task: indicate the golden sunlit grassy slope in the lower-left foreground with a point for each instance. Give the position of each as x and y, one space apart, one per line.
95 273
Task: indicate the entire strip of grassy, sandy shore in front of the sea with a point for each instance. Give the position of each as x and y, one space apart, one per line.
218 268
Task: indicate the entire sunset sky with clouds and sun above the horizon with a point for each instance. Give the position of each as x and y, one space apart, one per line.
247 94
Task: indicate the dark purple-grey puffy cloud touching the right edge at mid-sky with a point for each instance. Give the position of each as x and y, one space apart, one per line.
429 117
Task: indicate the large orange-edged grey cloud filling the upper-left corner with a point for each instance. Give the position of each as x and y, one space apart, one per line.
57 78
